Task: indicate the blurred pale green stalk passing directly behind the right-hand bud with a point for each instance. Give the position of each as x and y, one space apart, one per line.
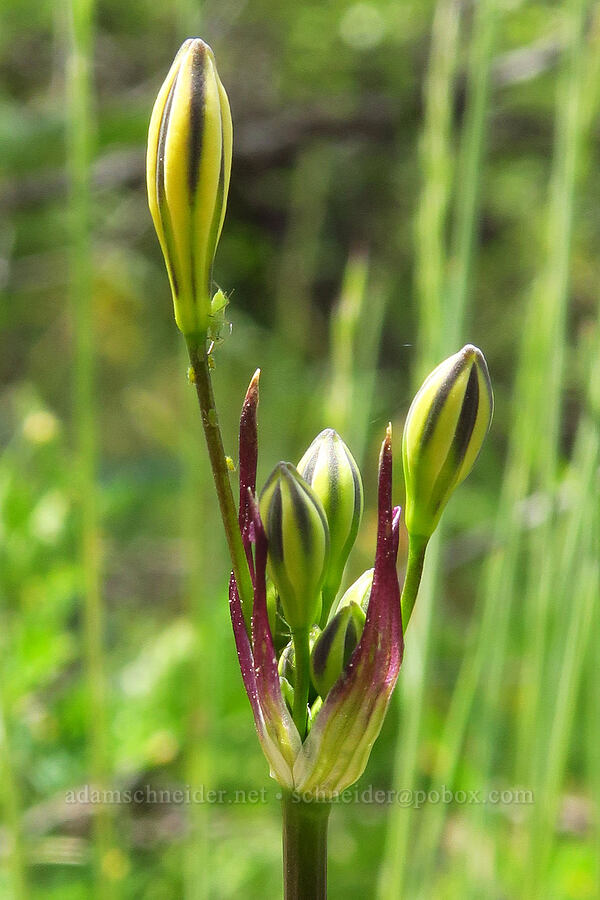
430 277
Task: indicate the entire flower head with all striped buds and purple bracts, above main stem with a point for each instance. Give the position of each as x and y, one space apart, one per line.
319 670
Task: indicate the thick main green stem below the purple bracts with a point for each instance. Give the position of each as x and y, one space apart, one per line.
304 848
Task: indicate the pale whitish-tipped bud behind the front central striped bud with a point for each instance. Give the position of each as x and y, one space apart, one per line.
330 469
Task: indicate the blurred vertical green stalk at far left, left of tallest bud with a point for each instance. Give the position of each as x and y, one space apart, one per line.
79 152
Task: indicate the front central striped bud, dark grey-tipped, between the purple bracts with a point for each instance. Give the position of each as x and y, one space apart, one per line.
298 547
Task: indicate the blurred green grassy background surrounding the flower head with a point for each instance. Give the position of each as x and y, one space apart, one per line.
408 176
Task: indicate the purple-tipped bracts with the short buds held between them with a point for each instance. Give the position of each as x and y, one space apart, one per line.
352 662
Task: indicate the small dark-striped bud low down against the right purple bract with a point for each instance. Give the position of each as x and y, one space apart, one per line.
334 647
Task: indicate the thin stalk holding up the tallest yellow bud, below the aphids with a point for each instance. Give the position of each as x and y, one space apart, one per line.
218 462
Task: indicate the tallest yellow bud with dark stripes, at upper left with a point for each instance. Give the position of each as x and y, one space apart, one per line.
188 166
